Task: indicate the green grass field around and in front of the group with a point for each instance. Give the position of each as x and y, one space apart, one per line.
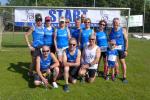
15 84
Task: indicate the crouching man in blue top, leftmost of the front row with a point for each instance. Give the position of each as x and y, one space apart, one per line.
46 63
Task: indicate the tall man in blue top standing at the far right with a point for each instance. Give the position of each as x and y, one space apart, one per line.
119 34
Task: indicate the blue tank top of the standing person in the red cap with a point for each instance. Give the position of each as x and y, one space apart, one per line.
48 36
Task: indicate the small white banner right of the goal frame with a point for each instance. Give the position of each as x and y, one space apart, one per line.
136 20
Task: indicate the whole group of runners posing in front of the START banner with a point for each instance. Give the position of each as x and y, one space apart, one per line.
78 50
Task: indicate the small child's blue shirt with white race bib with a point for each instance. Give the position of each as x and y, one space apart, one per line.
112 56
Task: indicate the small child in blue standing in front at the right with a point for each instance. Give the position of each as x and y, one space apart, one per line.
112 59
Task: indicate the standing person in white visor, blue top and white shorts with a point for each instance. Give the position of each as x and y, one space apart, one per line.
61 40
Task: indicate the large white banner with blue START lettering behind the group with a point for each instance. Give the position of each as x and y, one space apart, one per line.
24 16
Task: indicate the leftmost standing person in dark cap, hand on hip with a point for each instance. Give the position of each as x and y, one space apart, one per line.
37 33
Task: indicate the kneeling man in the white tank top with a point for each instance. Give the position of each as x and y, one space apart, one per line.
90 58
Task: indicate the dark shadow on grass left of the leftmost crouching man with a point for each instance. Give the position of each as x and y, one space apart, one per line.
22 68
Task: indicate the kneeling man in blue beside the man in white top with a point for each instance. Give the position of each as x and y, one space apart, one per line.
71 61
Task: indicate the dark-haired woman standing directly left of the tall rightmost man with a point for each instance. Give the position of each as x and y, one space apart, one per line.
102 42
